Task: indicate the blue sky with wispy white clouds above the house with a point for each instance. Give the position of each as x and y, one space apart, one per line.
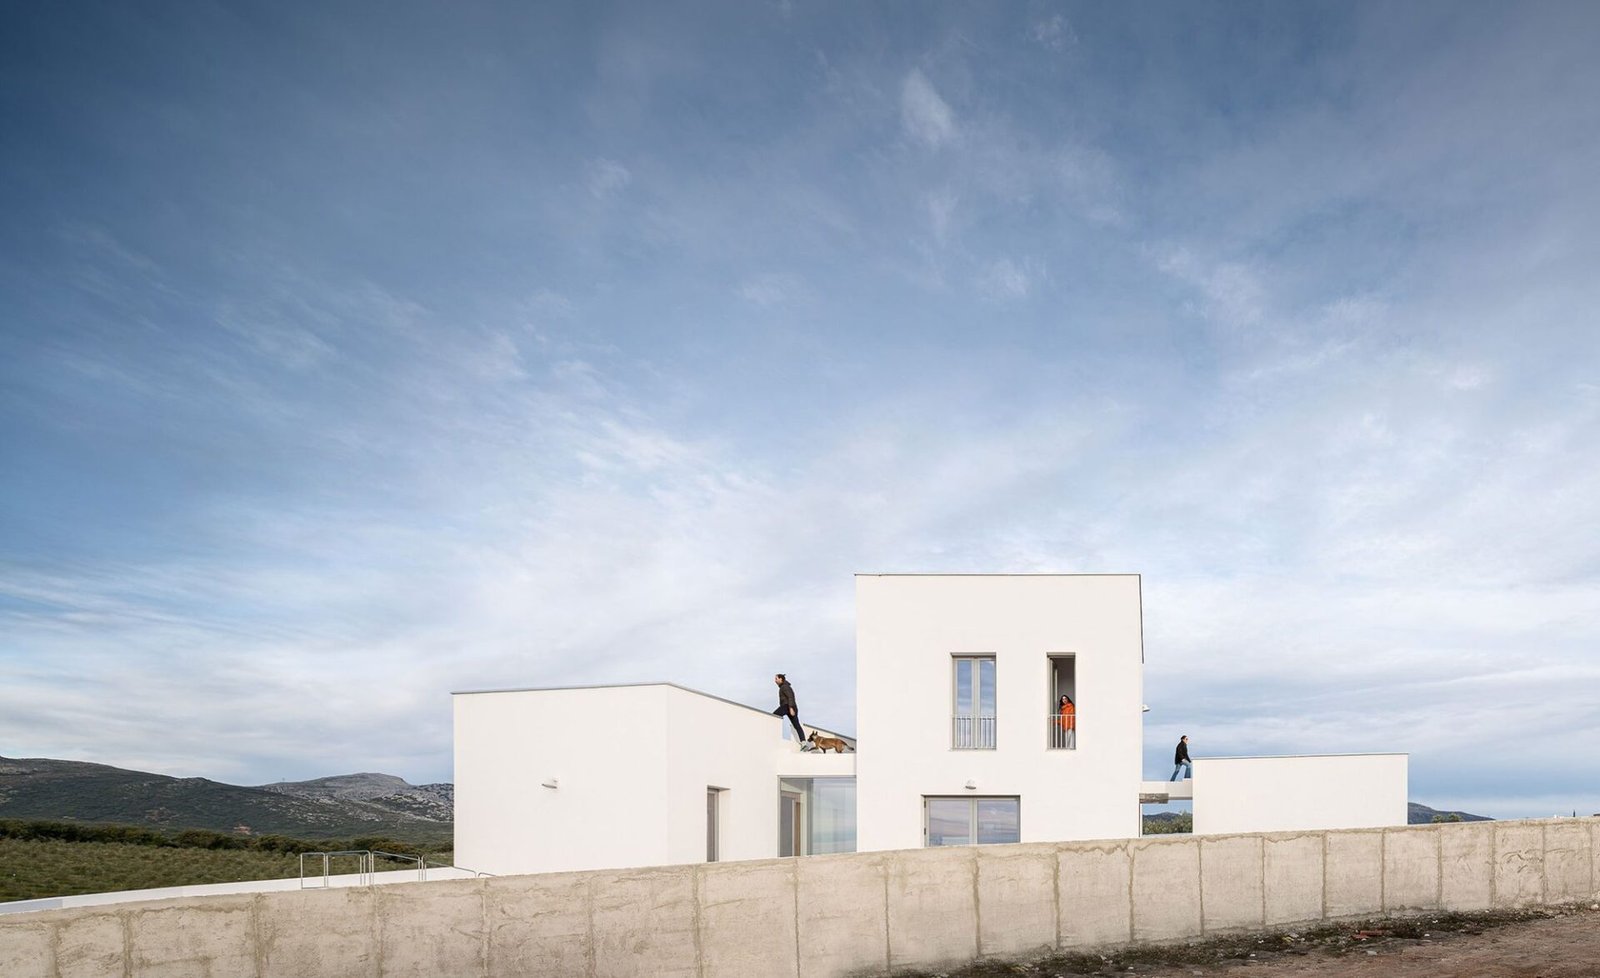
354 355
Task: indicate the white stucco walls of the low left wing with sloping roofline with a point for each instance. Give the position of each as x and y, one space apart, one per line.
633 766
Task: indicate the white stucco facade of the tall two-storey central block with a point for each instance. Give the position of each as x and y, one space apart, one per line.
910 627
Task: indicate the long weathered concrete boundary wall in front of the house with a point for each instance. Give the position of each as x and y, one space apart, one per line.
822 916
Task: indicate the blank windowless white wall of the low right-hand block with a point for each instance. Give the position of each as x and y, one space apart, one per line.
1306 792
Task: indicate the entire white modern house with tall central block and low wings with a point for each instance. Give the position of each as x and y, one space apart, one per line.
958 689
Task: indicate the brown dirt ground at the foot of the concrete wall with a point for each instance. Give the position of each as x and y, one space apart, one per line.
1537 944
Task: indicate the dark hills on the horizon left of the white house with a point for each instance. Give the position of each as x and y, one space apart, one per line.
340 808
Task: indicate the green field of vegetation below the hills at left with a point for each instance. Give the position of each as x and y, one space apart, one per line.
42 859
